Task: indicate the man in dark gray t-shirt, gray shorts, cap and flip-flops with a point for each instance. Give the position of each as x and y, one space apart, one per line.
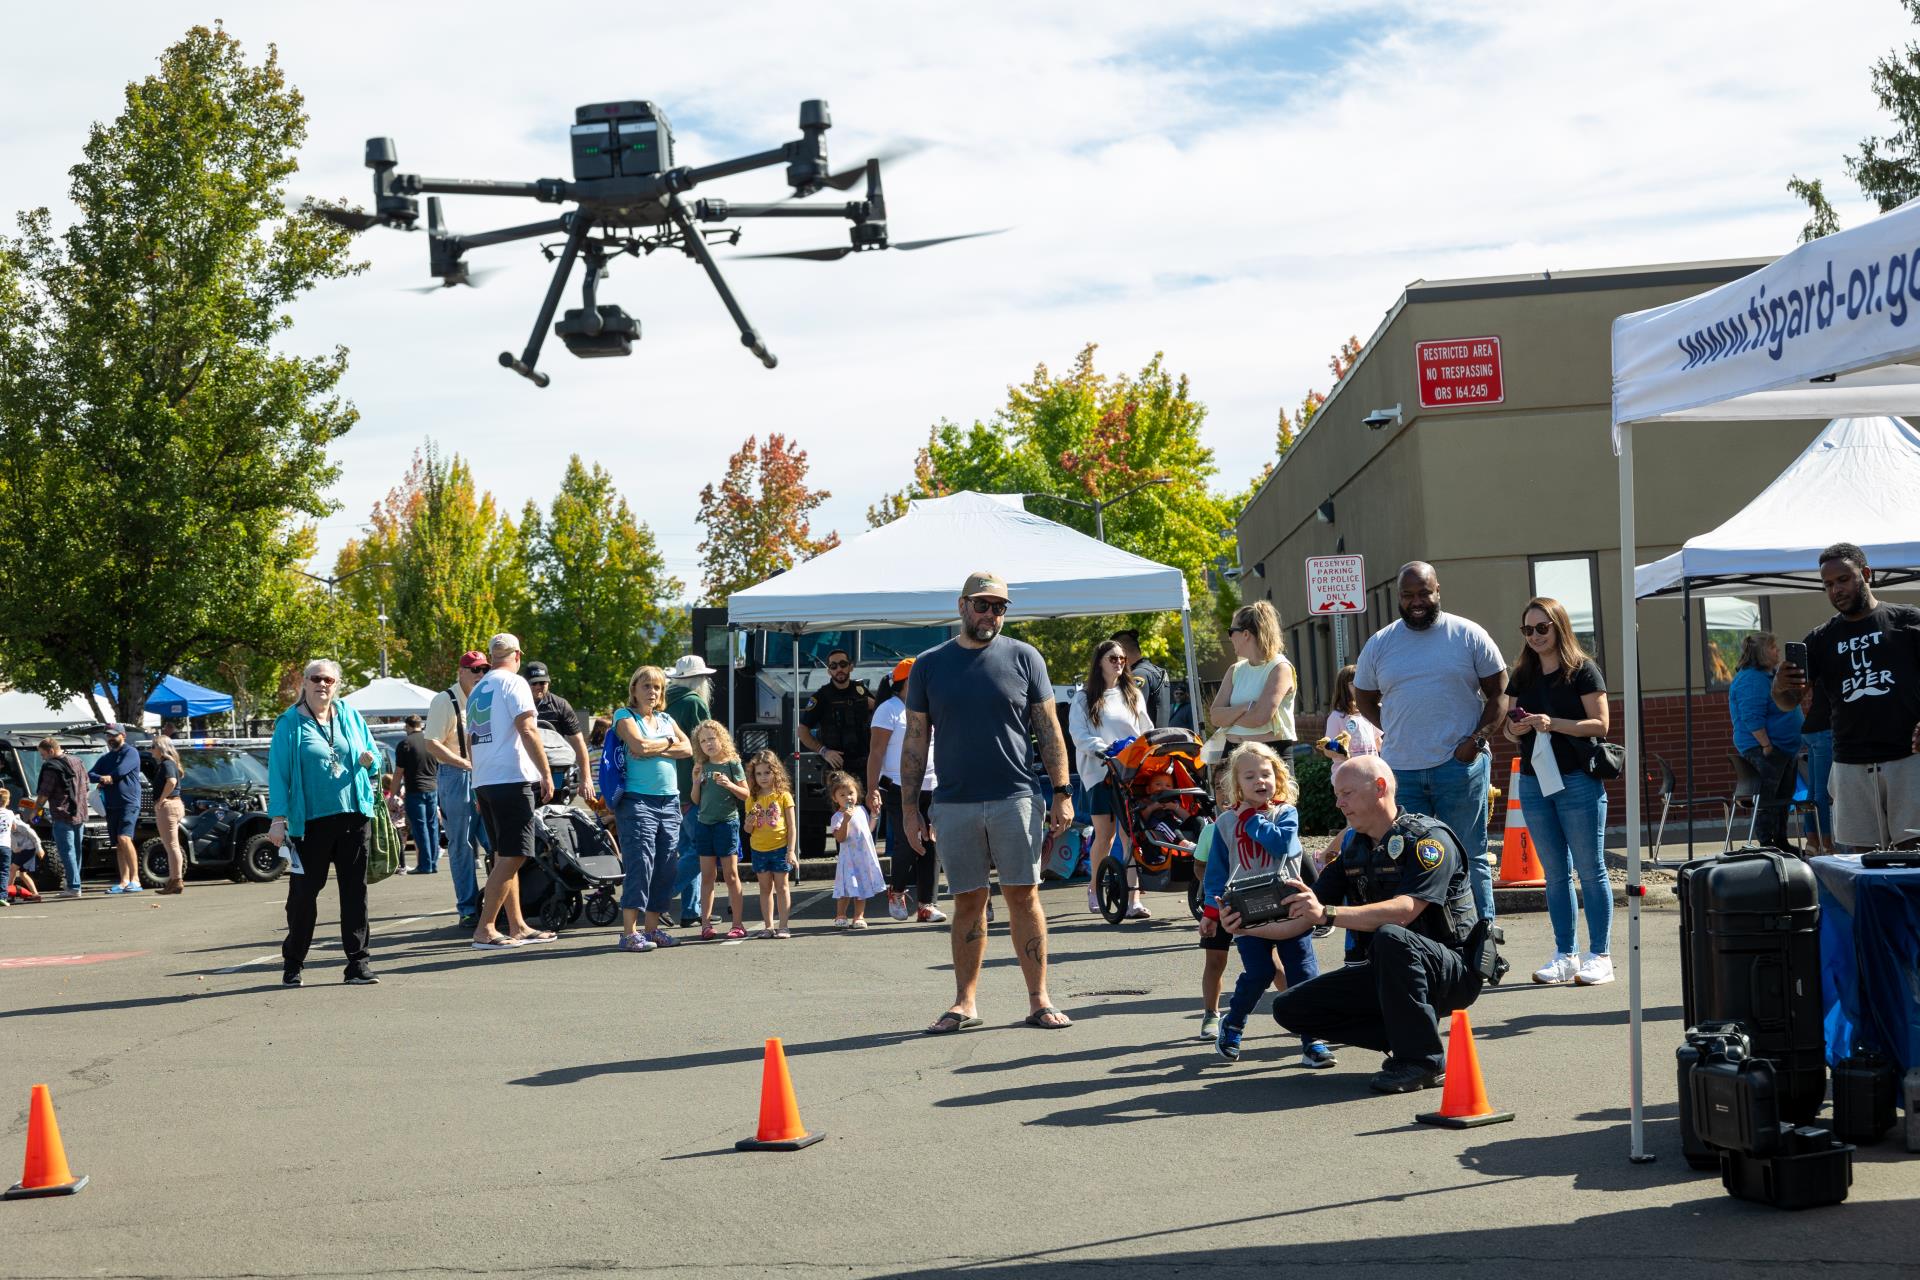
990 698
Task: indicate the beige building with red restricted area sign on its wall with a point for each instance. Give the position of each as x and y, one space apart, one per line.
1518 498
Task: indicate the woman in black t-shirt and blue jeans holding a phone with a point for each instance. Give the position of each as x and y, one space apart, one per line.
1558 692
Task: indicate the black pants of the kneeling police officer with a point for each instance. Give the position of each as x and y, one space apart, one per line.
1393 1003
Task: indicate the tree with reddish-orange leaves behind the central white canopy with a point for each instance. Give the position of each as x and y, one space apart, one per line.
757 519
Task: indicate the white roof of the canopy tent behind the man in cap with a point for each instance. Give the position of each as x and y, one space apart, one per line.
909 573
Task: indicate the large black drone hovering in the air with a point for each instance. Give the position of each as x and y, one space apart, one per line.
629 201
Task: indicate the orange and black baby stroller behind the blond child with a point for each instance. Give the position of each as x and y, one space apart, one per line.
1161 847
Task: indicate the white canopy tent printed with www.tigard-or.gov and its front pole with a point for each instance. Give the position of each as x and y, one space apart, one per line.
1819 333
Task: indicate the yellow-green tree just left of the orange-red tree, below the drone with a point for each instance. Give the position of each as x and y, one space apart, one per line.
602 598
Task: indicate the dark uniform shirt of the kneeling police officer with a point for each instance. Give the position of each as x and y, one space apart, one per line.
1420 859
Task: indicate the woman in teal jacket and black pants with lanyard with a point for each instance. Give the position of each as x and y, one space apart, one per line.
325 774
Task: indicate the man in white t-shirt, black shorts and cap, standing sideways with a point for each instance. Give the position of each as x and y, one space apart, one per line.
510 780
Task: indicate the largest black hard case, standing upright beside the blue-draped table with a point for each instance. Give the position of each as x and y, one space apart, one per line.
1750 953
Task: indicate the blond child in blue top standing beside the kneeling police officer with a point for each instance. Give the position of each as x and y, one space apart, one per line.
1260 834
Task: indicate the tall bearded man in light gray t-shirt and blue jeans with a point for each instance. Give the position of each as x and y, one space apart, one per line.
1437 686
